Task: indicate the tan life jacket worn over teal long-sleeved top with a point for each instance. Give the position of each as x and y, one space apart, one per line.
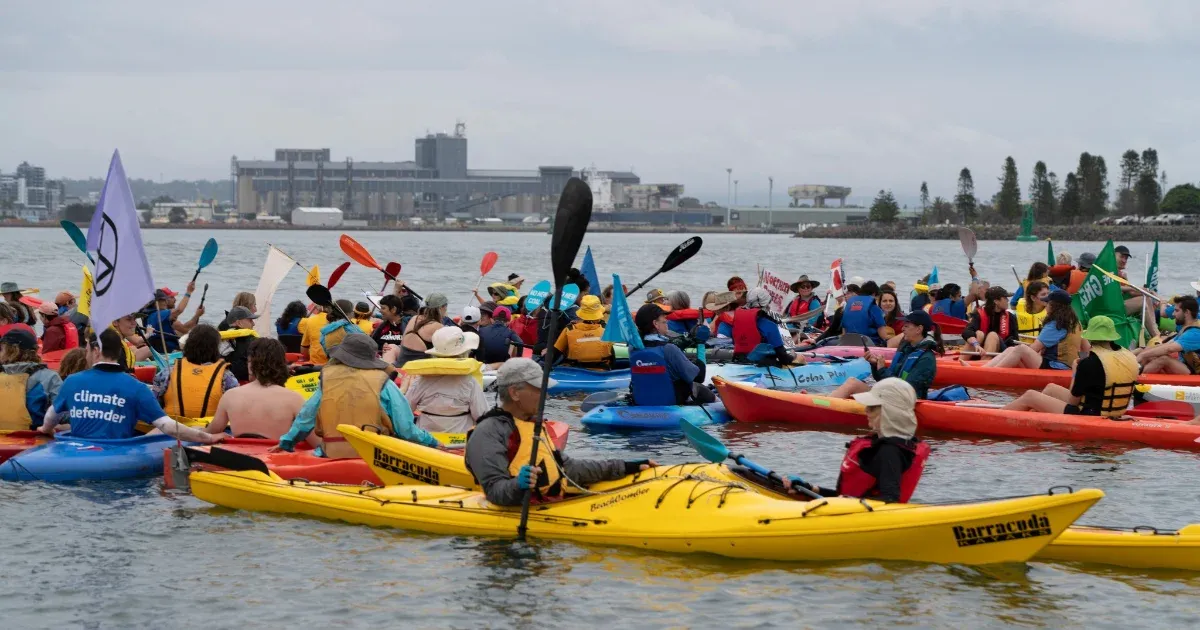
350 397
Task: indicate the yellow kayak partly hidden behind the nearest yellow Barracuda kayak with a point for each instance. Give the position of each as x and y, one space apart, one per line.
1167 550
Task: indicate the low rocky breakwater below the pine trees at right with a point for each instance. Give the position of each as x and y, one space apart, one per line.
1007 233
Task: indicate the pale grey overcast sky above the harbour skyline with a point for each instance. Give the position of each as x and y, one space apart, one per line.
867 94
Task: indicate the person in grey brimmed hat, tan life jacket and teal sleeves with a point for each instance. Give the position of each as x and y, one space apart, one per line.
355 389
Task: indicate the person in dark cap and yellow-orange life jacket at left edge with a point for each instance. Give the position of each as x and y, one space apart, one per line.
27 387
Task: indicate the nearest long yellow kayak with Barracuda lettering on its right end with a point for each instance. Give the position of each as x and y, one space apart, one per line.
685 509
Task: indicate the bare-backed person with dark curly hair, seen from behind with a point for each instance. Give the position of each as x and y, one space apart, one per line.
265 407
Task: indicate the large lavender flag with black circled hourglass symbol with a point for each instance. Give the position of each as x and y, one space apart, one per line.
123 284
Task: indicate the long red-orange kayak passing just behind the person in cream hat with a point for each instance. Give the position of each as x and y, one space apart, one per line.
754 405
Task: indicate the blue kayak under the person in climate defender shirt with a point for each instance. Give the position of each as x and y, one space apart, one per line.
71 459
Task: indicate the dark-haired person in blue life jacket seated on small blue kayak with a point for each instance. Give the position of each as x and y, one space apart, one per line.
661 374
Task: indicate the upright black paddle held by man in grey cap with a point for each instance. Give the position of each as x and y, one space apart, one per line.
571 225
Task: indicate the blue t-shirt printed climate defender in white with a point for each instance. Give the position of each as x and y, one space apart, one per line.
105 403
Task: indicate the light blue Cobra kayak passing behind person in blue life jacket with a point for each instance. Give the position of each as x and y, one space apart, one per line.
577 380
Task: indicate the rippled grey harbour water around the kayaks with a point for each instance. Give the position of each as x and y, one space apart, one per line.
129 556
